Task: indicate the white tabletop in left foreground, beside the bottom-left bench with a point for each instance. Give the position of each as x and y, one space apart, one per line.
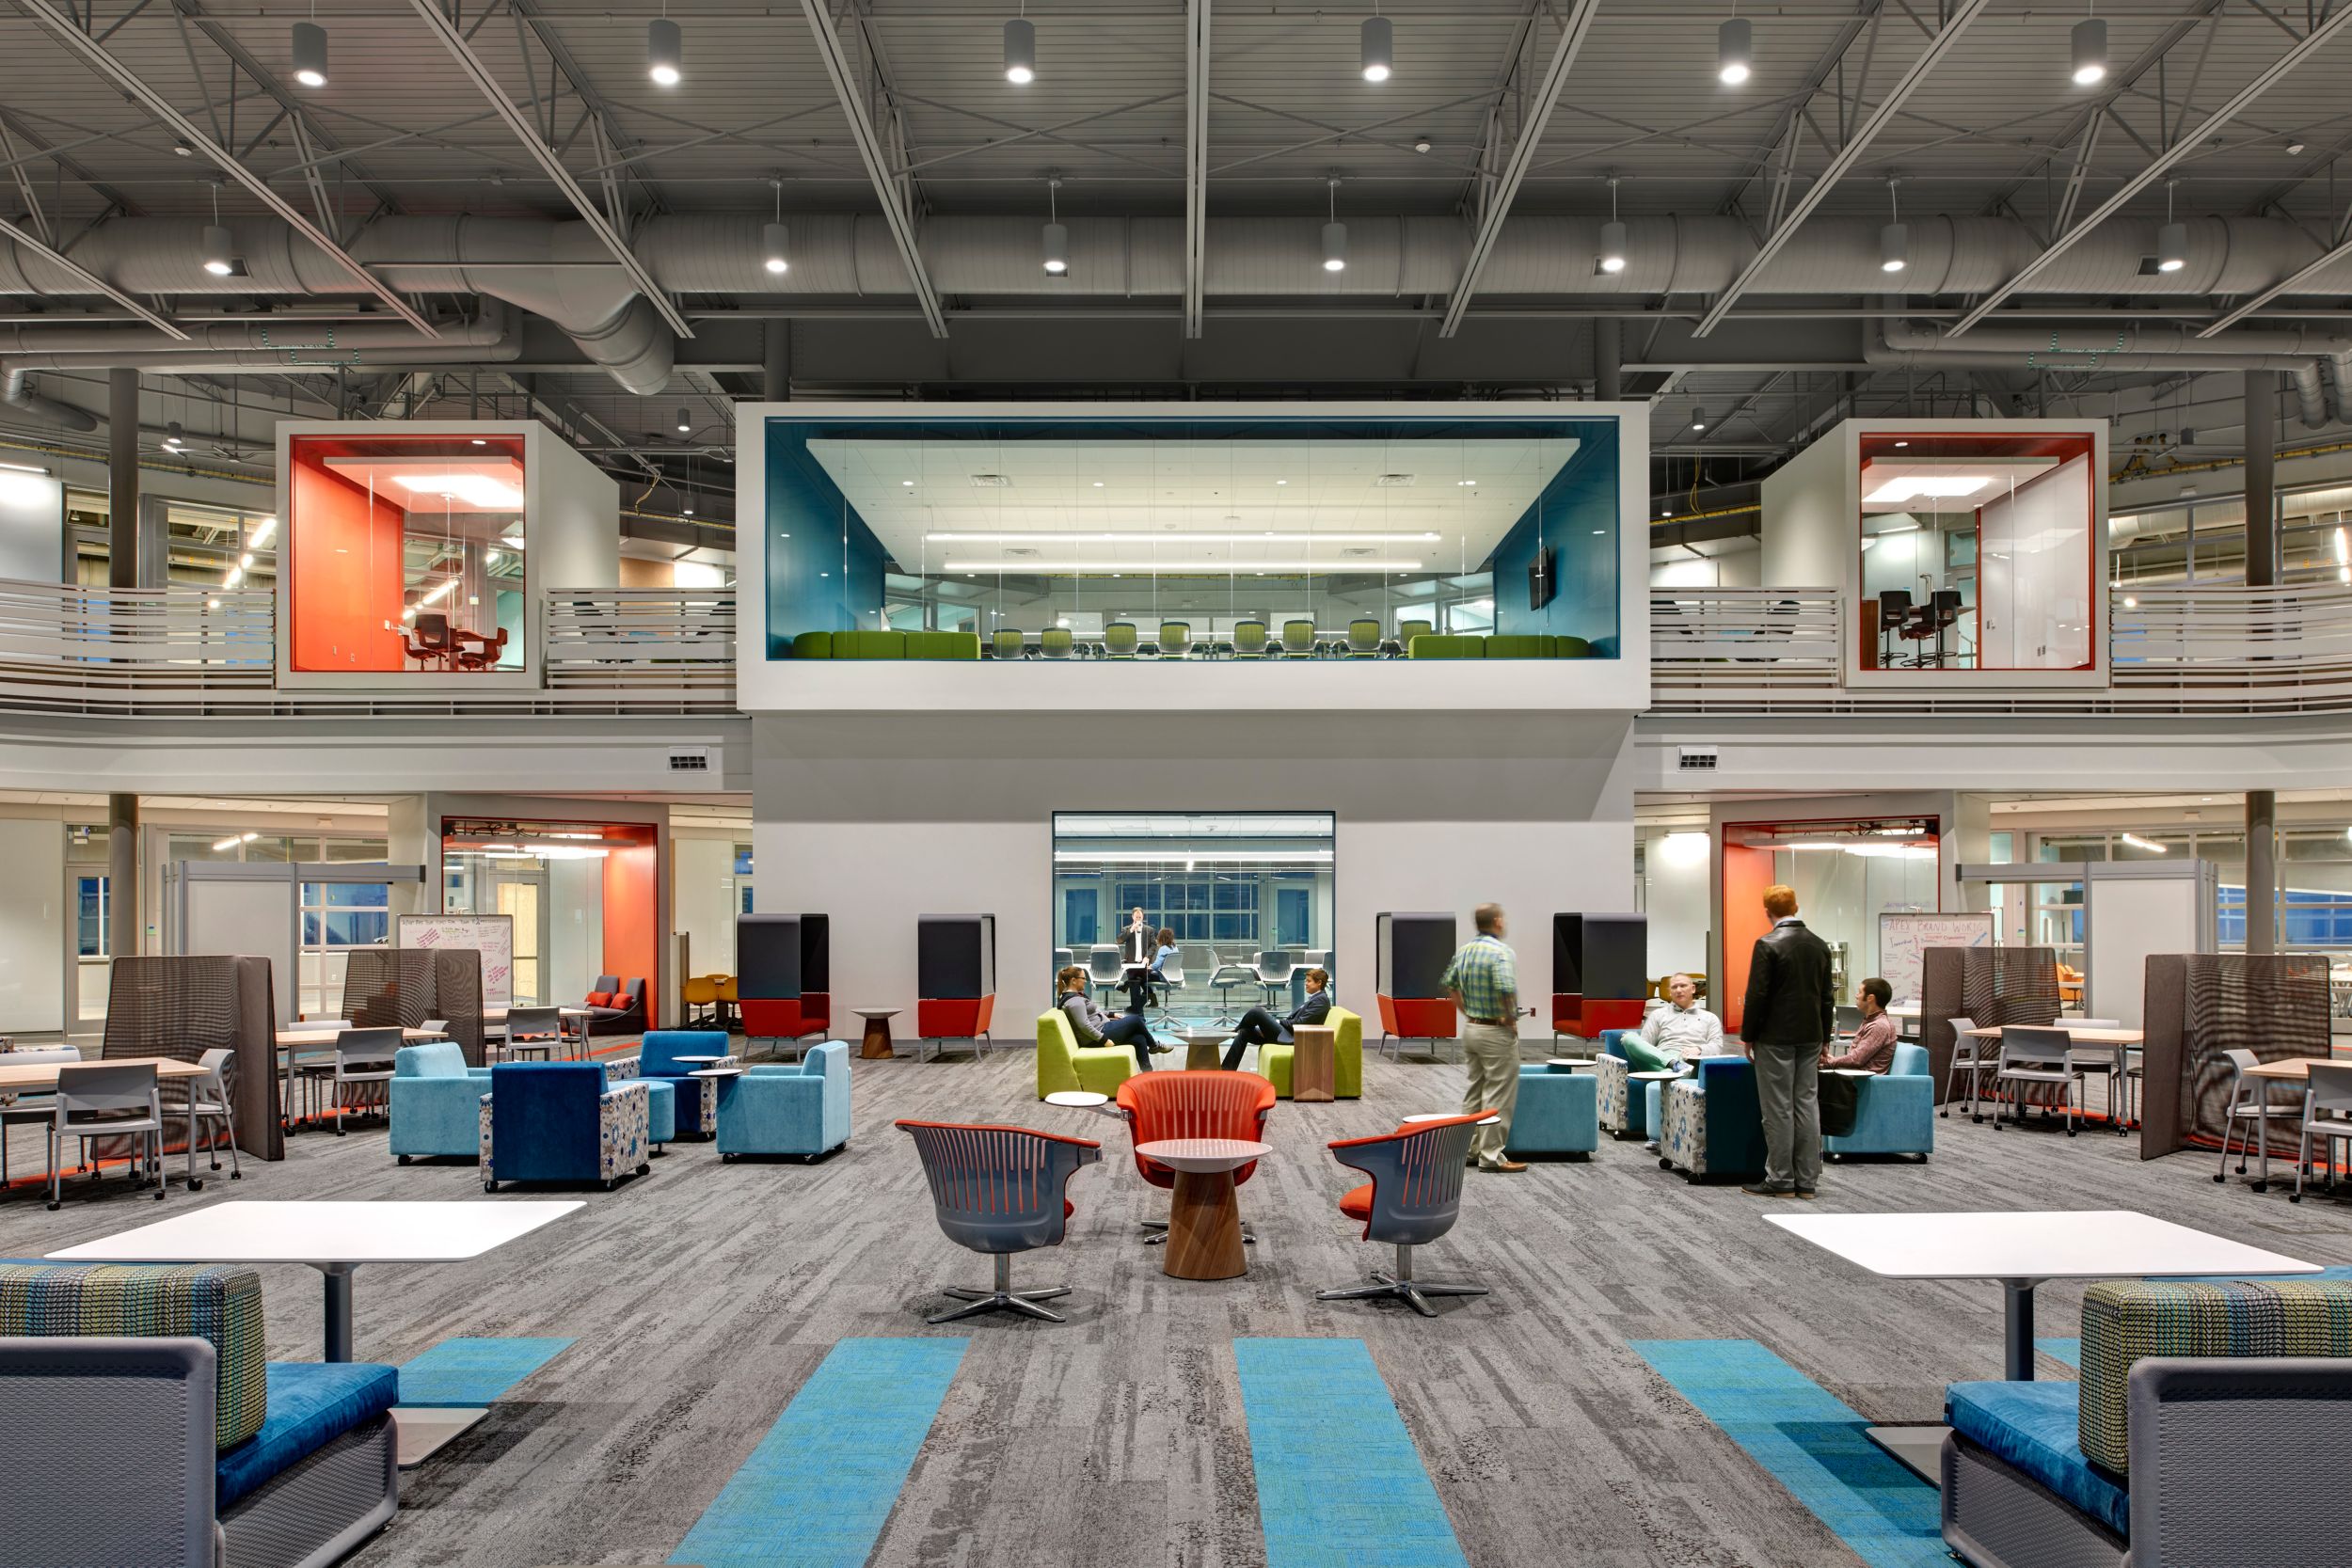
326 1233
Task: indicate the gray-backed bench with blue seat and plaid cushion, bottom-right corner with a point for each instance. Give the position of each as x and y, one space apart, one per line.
2189 1442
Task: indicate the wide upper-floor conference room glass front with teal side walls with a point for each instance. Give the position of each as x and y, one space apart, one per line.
1194 540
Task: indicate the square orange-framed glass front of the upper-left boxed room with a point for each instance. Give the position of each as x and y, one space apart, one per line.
406 554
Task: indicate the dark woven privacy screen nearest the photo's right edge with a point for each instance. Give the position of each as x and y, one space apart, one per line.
2200 1005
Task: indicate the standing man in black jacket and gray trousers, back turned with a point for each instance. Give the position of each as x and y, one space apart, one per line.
1786 1019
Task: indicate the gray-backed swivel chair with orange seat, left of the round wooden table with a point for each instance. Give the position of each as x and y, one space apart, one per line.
1001 1191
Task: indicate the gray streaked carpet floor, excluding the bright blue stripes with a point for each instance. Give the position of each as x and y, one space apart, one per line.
704 1296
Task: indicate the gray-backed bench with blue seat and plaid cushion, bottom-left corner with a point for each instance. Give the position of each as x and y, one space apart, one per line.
159 1374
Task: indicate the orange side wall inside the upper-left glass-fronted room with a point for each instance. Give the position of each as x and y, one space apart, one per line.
347 575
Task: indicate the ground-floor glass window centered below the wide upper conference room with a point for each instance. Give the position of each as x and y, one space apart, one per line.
1248 897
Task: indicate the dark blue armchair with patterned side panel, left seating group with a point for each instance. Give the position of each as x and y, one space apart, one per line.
559 1123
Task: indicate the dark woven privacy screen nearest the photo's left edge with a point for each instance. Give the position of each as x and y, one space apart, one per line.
180 1007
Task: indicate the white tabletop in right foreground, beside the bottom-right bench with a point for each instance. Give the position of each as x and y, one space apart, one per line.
2073 1245
